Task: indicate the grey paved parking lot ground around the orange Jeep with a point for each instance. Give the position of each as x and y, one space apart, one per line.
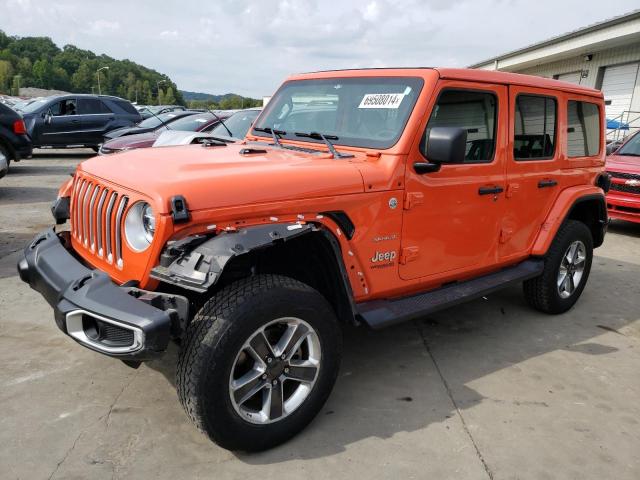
491 389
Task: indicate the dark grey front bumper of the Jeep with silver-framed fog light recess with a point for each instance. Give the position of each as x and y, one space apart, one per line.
89 307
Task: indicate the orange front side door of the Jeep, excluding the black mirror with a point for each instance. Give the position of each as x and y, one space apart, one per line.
451 222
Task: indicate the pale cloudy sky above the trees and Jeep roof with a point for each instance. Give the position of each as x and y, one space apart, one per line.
250 46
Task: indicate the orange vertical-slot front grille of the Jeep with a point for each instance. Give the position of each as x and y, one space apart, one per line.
96 219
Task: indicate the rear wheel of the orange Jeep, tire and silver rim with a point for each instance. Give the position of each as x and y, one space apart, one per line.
566 270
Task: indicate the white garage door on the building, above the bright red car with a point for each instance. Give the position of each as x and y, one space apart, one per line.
617 85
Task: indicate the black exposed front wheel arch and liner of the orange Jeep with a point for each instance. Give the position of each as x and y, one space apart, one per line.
308 253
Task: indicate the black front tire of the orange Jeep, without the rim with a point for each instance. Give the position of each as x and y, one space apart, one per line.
219 331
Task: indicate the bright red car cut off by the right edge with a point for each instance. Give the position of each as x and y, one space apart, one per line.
623 199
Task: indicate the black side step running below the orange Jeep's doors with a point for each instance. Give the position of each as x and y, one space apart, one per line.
382 313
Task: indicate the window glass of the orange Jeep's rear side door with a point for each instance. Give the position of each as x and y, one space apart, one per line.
535 128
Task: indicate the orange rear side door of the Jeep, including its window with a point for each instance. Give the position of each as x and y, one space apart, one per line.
533 167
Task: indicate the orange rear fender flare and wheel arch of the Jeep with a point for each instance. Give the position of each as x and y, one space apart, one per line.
585 204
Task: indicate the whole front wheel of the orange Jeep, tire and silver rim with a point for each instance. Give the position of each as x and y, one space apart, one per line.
258 362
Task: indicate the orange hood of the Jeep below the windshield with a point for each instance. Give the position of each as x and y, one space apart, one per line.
217 176
